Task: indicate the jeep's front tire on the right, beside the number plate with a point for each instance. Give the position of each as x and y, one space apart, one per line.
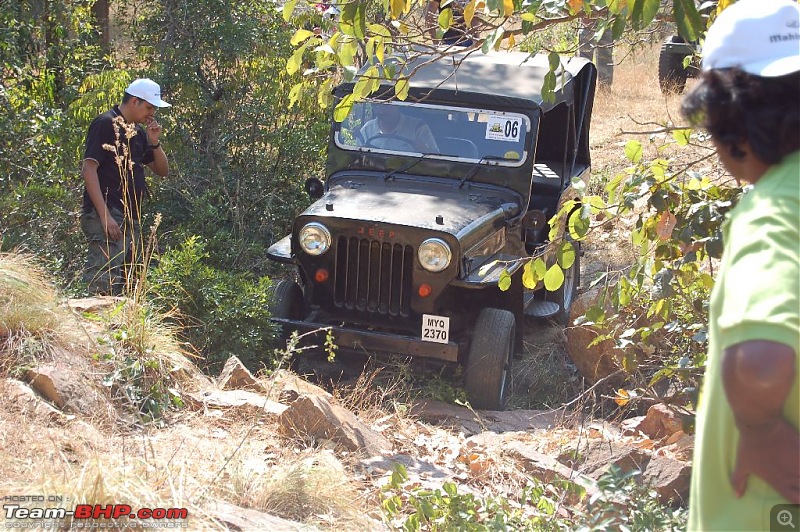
488 376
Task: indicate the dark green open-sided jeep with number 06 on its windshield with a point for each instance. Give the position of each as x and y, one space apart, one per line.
419 216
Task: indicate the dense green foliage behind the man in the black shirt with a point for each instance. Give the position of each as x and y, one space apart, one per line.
238 154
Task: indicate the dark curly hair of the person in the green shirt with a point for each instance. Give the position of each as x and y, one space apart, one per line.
735 106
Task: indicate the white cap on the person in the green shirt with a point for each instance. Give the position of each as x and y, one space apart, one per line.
761 37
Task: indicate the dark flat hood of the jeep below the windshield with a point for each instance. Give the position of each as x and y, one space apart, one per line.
438 205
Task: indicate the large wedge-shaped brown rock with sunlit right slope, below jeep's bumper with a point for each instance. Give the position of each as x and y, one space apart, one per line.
317 417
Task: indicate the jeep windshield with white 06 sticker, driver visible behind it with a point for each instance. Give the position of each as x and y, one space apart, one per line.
454 133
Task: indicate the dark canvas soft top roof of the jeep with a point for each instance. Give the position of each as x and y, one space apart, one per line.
510 80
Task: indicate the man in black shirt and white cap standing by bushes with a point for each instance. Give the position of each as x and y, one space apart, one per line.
119 144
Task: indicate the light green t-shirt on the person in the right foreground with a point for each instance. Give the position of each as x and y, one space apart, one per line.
756 297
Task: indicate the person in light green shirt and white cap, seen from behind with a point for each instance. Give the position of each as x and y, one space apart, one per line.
747 447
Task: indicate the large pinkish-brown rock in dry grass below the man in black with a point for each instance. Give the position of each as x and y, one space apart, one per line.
69 389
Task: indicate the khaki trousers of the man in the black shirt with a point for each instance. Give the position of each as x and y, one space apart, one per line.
108 263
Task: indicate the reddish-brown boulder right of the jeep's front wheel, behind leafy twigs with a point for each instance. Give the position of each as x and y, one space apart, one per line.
599 361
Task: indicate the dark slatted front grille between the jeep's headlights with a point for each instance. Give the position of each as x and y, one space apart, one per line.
373 276
